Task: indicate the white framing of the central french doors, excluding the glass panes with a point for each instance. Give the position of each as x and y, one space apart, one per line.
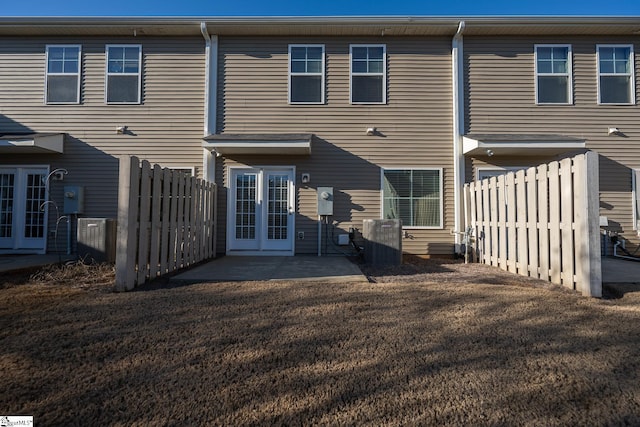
260 170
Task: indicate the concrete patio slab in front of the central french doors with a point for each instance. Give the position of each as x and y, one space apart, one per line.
277 268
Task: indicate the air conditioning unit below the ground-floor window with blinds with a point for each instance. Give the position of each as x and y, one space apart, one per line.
383 241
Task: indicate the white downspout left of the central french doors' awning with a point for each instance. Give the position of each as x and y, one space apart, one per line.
210 100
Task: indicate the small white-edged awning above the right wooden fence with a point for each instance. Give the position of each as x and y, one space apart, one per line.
476 145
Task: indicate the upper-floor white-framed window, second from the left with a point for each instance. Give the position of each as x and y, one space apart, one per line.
123 74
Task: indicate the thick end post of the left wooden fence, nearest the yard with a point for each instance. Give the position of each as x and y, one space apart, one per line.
127 220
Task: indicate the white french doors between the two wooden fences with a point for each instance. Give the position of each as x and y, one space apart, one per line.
261 211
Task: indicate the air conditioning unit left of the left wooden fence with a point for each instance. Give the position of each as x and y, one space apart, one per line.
97 239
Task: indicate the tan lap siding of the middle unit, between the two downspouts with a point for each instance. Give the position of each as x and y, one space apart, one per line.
415 126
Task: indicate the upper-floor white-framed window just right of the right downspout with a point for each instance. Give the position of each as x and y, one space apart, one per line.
554 83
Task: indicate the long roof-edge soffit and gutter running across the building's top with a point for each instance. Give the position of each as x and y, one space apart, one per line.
391 26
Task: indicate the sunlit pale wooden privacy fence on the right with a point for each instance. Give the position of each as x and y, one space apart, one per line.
542 222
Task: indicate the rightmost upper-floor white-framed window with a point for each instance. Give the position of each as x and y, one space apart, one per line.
615 74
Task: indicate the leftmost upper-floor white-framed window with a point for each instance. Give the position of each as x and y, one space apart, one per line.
62 85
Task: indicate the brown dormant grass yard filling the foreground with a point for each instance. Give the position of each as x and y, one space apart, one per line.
428 343
